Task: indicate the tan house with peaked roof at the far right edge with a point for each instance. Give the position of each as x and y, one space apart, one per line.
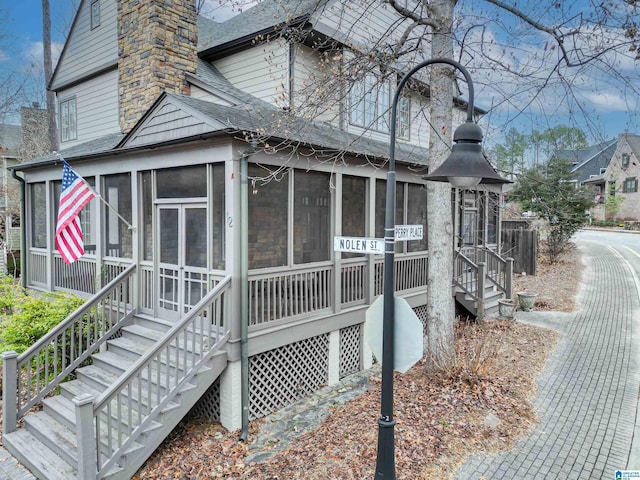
615 186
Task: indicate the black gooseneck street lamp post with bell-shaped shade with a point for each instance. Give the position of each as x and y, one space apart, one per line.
464 168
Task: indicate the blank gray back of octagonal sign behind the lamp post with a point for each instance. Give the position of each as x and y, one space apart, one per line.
407 333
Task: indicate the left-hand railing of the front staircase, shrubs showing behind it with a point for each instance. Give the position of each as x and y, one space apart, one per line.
30 376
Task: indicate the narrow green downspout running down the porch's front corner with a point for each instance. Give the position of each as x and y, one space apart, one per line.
244 293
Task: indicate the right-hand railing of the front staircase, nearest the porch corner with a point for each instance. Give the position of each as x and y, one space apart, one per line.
129 407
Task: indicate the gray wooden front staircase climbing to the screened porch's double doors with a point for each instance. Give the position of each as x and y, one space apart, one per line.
126 397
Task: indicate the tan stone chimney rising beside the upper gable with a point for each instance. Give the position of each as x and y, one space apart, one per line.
157 47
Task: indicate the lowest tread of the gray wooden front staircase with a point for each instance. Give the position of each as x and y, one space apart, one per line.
34 454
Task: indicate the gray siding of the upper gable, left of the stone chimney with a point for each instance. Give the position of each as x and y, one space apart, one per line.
88 51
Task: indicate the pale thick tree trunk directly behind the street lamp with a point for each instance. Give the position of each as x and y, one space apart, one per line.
440 304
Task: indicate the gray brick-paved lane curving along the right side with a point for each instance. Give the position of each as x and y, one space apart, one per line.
588 394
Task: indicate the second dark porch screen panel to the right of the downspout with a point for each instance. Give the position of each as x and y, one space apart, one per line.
311 217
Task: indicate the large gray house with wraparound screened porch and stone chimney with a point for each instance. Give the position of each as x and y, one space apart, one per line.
222 288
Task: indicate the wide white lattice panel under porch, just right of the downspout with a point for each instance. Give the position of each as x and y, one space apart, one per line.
282 376
